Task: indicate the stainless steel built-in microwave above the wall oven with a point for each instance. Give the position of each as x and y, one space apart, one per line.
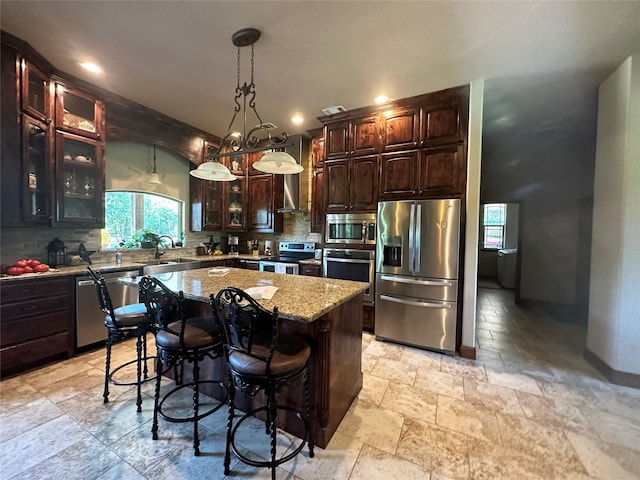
351 228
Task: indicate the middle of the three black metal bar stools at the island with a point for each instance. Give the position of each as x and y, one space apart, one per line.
179 340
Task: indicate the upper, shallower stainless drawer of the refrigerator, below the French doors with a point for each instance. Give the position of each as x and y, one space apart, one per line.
404 286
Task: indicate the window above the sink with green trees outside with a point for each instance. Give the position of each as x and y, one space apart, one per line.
129 212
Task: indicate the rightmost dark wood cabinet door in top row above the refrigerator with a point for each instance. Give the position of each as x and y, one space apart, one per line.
441 123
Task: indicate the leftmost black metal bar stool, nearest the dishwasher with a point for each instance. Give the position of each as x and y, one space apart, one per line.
122 322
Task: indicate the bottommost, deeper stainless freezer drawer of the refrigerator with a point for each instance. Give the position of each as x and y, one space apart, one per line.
417 322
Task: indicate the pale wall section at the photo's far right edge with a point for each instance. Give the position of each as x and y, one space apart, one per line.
614 302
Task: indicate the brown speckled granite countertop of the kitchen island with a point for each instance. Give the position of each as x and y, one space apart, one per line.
299 298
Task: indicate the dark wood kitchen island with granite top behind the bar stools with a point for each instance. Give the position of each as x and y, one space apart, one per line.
326 312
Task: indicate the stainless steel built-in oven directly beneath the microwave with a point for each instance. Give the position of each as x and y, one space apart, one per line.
357 265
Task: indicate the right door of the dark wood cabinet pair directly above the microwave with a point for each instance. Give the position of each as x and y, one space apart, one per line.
363 185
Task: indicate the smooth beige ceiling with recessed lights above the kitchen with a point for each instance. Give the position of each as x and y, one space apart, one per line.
541 61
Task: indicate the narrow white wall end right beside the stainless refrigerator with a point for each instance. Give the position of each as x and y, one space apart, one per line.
473 214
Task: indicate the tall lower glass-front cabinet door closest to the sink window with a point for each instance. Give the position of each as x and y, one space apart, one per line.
81 180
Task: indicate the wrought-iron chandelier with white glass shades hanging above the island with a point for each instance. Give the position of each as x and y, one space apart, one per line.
256 139
